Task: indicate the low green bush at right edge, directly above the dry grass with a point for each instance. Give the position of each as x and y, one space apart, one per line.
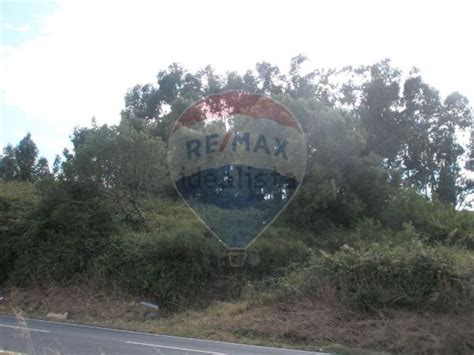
409 275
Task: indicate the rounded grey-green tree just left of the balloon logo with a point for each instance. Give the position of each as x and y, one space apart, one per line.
125 162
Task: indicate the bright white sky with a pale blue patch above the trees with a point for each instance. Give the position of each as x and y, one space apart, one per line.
63 62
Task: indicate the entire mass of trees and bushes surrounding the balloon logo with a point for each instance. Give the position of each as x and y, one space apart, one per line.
386 166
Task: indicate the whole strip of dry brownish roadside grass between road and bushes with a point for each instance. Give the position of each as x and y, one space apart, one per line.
318 323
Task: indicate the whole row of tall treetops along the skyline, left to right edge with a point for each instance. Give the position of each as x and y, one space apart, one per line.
405 124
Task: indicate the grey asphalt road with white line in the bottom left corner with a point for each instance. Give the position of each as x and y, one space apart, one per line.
44 337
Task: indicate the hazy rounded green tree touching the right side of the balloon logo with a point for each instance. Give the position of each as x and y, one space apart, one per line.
341 184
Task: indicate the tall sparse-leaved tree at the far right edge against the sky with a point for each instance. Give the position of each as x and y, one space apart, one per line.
432 153
